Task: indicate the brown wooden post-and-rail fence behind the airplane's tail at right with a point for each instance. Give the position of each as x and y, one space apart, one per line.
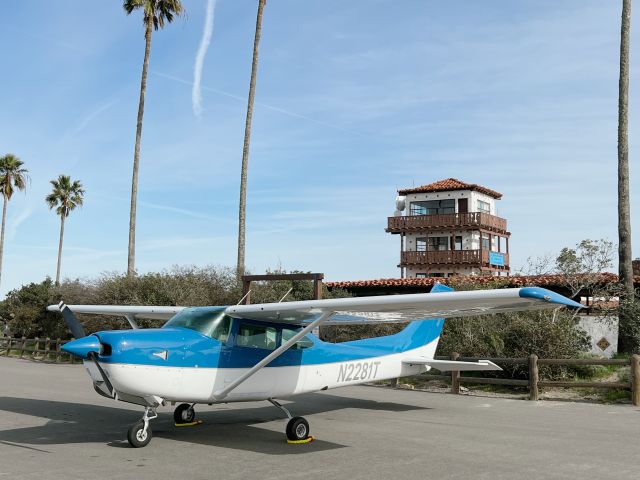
534 383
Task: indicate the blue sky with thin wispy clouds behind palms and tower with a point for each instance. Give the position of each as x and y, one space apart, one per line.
354 100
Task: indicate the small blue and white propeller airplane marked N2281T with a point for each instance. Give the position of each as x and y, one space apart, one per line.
209 355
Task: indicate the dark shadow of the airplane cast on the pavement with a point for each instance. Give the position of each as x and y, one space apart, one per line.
236 428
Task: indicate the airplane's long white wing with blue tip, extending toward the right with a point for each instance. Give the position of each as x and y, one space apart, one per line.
404 308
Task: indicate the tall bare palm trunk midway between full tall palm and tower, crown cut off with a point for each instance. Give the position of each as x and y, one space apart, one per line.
242 215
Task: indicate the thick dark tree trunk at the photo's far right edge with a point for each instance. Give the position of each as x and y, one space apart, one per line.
625 267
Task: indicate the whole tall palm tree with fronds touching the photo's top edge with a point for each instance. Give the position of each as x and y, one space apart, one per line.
156 13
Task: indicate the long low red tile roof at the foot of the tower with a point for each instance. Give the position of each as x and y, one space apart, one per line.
514 281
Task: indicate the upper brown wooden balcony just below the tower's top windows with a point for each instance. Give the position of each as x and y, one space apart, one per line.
458 221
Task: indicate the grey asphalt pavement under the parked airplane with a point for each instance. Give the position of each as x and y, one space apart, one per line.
54 426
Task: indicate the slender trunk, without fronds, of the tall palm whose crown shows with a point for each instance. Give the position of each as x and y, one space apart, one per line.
131 260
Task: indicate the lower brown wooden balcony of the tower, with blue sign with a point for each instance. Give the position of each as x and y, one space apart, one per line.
471 258
